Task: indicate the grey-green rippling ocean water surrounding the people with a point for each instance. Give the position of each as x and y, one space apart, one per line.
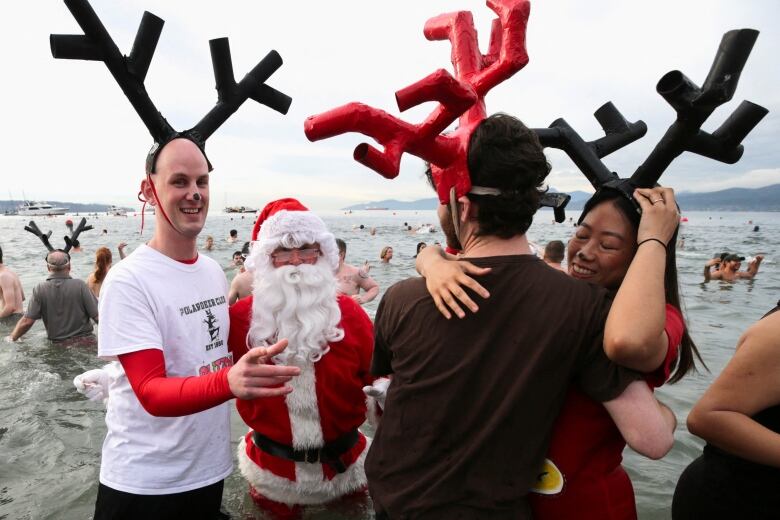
51 436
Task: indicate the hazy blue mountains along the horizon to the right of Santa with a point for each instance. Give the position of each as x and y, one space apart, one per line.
732 199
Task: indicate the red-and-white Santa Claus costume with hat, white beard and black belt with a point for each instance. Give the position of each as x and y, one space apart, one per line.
303 448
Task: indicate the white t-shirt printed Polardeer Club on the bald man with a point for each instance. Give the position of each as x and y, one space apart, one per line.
150 301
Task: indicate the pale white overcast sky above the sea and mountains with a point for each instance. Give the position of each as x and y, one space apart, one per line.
70 134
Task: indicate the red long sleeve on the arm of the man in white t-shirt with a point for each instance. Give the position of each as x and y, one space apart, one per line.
164 396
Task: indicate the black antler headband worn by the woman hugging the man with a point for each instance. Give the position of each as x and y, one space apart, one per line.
693 106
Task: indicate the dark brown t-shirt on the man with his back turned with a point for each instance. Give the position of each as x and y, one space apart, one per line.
472 402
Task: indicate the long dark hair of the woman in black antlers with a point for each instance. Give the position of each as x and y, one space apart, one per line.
688 351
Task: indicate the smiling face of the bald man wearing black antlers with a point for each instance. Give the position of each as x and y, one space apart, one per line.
182 185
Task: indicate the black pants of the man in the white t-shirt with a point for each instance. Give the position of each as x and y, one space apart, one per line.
202 503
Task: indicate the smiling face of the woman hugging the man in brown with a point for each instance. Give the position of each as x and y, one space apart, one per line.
602 247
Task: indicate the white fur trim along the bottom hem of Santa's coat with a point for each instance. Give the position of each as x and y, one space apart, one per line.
306 490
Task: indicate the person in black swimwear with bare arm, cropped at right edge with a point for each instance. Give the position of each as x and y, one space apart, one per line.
738 473
